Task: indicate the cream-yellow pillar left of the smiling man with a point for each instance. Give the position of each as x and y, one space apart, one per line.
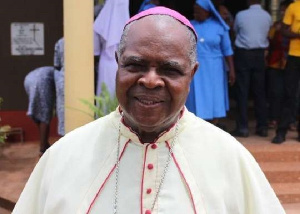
79 71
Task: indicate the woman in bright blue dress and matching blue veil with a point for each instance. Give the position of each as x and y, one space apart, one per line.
208 97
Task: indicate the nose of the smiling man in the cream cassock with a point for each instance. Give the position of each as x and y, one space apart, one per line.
151 79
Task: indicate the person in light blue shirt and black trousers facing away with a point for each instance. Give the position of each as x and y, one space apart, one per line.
251 27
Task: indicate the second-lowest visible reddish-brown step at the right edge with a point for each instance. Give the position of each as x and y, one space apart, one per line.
287 193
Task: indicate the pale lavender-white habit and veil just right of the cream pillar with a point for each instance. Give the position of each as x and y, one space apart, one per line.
108 28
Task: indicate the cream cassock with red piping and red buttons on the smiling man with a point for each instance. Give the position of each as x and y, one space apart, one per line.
209 173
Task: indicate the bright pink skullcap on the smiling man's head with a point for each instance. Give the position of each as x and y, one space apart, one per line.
163 11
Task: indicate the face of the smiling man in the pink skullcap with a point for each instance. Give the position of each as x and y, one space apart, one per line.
154 73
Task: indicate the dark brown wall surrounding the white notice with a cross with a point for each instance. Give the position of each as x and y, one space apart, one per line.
13 69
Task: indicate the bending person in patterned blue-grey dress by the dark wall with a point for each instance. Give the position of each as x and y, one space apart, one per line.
39 86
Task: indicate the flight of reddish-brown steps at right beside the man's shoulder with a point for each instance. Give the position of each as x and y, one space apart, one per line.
281 165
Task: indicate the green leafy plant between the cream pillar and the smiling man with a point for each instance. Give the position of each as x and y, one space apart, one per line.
103 104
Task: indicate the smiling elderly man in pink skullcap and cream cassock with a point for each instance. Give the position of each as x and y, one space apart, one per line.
151 155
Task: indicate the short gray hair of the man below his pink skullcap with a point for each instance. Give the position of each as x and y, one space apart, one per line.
192 40
